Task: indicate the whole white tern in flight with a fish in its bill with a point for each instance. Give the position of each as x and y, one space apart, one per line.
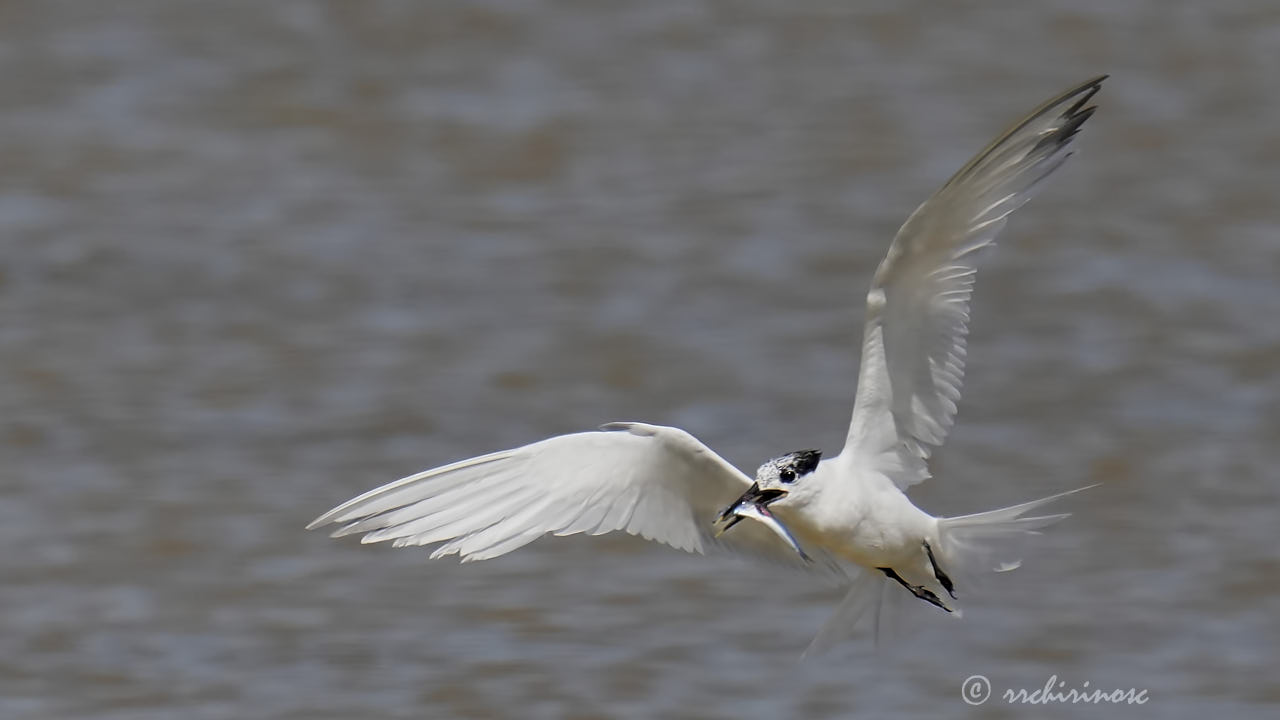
845 517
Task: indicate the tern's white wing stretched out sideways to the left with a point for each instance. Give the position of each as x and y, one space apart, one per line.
656 482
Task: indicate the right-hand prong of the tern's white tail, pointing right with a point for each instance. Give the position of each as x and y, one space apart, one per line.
991 543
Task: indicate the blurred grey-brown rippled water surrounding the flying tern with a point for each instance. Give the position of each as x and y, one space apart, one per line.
258 258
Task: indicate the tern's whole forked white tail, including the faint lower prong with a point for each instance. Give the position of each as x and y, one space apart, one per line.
971 546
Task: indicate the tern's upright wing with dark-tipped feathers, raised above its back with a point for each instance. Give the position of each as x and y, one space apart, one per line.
918 306
